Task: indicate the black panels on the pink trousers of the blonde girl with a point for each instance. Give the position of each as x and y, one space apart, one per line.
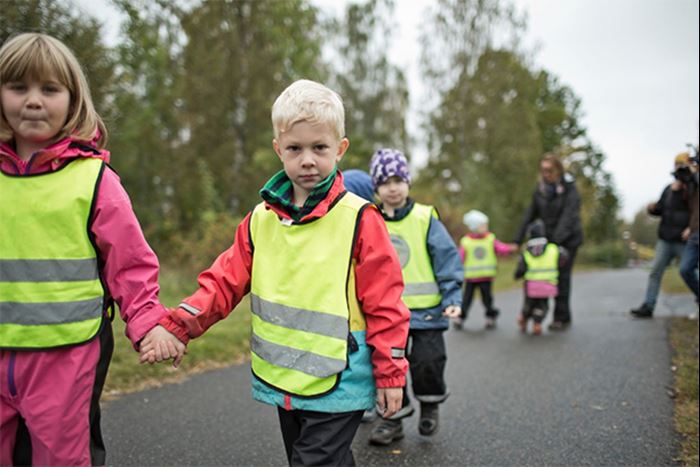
22 454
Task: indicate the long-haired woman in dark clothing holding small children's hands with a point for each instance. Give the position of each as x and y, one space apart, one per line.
557 203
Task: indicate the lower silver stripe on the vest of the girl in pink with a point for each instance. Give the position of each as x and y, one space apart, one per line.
49 313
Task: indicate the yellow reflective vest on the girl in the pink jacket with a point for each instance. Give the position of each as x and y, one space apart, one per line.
50 289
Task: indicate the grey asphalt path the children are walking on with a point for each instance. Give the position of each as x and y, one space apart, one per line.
594 395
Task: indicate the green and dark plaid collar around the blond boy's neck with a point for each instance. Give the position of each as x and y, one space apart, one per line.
278 190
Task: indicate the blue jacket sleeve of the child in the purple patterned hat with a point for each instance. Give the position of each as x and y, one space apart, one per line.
446 263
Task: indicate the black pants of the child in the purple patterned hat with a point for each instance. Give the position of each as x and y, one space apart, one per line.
426 362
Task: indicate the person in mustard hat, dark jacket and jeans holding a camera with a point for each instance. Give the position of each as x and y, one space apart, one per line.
672 207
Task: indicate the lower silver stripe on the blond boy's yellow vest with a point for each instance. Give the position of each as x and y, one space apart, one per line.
295 359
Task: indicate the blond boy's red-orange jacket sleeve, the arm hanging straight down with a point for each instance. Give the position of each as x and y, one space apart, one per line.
379 289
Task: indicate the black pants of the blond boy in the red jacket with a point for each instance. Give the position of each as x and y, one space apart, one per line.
318 438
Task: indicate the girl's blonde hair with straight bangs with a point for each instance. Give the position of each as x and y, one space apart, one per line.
40 56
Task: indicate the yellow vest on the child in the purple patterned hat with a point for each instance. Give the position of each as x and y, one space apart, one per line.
410 239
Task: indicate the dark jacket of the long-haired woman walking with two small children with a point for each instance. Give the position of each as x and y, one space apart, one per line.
559 208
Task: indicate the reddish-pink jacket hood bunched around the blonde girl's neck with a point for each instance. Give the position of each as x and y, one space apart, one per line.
50 158
